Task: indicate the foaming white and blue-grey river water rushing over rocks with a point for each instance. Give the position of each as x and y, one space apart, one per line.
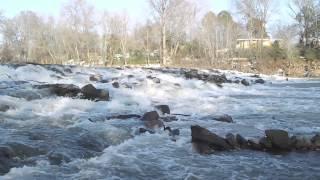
77 133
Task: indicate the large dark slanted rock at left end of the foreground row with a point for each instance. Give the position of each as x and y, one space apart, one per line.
202 135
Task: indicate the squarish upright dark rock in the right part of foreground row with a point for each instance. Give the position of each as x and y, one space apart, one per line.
279 139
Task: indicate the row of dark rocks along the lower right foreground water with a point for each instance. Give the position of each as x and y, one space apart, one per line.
275 140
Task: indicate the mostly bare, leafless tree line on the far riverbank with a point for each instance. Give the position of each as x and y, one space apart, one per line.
176 32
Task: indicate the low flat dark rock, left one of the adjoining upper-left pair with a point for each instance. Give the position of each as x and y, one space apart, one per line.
65 90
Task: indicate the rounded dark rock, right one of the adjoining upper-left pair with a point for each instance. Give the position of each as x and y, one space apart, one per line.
91 93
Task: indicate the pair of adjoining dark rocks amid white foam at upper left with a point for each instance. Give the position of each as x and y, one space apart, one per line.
69 90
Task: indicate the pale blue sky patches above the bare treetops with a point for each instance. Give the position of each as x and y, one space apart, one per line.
137 9
